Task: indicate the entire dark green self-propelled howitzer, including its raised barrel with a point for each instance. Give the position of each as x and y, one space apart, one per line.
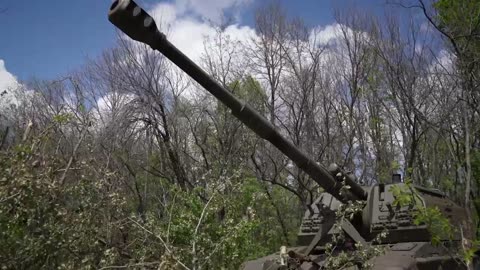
408 244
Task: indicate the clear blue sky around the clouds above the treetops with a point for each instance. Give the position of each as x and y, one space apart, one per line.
48 38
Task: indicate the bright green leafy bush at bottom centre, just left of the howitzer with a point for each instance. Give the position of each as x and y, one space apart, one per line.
192 222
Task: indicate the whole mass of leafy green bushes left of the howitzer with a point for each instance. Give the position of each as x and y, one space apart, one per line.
90 220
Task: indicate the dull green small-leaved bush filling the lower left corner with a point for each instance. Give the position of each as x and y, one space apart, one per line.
45 224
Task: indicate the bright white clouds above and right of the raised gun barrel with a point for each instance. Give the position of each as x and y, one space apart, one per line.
187 24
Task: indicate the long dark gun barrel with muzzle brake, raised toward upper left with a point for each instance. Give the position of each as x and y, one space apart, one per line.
137 24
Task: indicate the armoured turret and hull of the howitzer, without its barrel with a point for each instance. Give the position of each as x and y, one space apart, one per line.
406 245
